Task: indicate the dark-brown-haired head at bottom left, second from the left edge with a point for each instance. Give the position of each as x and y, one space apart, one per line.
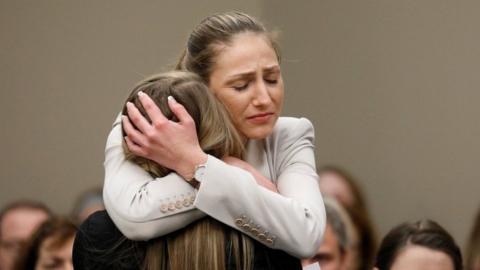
50 247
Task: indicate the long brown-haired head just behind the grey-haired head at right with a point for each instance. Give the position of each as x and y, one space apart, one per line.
336 182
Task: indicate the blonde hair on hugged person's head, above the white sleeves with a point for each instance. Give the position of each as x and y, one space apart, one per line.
216 133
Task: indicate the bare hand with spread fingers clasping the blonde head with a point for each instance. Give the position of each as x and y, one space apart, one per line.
171 144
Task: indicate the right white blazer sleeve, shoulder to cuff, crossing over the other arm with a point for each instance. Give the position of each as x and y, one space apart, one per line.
294 220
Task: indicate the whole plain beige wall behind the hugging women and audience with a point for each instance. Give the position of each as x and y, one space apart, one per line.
391 87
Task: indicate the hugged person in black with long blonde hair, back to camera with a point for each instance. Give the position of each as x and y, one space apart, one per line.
206 243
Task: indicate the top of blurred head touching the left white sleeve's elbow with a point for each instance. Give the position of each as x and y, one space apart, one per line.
86 204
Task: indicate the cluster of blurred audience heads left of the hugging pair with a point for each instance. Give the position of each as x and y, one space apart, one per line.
33 237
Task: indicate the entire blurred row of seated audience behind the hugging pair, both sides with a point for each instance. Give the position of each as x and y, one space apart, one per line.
33 237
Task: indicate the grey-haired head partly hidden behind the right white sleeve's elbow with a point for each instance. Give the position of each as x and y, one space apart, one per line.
335 248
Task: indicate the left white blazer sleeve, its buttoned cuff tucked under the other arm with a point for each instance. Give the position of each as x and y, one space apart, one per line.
143 207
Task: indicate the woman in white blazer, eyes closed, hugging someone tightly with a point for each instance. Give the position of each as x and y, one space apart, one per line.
272 196
